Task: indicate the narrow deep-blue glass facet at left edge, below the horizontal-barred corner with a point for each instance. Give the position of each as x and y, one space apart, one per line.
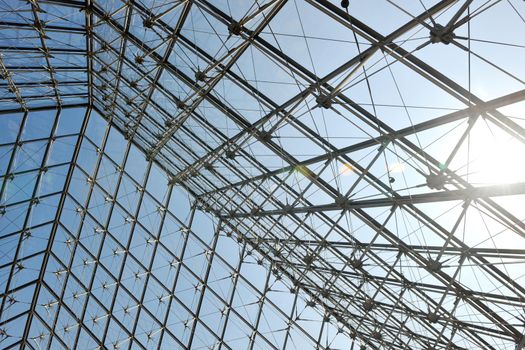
36 150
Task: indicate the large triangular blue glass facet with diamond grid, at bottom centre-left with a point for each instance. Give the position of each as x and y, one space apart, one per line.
159 274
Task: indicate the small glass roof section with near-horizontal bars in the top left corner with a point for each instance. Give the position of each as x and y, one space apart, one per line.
43 60
